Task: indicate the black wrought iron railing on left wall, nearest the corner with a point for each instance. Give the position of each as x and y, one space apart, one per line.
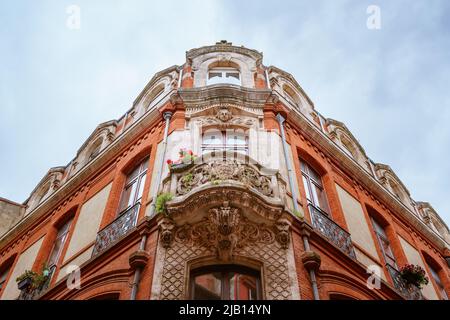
116 230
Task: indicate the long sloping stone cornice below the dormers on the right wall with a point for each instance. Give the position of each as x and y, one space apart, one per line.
362 176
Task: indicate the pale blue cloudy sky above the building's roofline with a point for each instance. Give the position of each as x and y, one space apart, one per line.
391 86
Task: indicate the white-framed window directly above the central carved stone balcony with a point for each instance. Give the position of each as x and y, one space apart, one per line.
215 140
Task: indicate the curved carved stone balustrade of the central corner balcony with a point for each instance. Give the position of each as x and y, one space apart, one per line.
224 170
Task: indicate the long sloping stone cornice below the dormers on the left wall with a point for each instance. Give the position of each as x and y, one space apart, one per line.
83 174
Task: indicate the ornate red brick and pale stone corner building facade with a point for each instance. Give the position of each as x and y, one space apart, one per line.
222 181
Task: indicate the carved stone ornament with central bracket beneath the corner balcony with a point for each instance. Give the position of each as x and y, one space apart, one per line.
225 231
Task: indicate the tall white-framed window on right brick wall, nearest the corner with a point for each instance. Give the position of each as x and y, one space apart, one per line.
315 193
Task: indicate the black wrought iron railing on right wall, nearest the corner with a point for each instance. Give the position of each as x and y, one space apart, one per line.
332 231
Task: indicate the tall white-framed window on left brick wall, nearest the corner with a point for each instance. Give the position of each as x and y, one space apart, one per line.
134 186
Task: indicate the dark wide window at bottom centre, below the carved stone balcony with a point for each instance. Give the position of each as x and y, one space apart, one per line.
225 282
